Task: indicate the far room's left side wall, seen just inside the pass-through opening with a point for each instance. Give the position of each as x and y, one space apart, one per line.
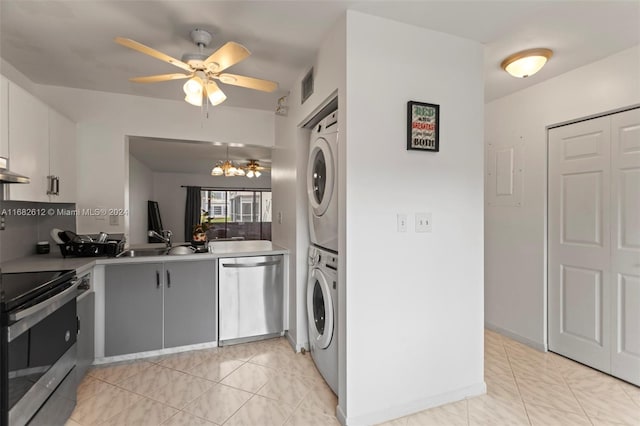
140 191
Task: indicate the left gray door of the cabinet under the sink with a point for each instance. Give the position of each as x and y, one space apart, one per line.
133 308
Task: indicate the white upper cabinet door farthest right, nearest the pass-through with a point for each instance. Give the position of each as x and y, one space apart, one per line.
62 156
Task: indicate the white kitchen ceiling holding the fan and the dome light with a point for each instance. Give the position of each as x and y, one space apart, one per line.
70 43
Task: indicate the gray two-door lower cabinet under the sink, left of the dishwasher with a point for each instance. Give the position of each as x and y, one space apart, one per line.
151 306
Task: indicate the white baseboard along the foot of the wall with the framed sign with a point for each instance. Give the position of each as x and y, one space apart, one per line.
412 407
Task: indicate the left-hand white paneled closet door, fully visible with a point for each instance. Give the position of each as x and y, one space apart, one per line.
579 242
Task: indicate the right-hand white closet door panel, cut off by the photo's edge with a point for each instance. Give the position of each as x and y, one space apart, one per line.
625 235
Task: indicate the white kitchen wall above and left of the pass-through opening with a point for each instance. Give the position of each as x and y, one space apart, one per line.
104 120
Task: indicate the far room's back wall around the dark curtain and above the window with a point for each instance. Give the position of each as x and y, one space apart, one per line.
171 196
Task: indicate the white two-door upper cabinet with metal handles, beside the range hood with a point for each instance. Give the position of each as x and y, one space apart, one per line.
42 146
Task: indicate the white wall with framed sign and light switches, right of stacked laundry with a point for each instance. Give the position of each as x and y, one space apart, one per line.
415 297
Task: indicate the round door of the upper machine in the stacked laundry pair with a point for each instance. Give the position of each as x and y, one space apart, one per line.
320 176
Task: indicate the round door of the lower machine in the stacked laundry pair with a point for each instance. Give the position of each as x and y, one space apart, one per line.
319 309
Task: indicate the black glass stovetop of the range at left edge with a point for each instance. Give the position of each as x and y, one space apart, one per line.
18 288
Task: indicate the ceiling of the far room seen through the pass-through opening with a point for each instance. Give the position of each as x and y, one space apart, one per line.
171 156
